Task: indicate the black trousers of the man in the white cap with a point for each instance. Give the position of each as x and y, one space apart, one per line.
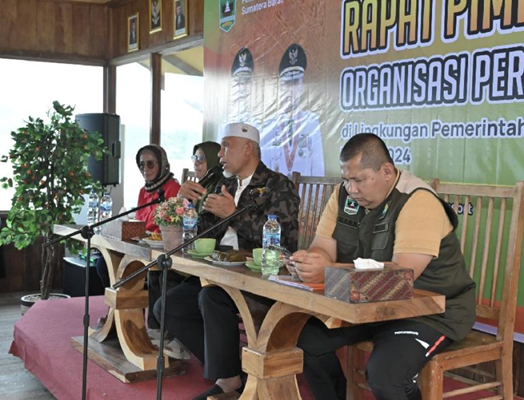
206 321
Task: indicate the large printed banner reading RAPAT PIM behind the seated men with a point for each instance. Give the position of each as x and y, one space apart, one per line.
441 81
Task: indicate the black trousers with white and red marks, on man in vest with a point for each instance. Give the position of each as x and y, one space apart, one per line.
401 349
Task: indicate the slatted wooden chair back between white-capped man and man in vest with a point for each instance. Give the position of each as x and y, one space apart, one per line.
314 192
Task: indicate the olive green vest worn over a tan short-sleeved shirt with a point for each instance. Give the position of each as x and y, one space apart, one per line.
371 234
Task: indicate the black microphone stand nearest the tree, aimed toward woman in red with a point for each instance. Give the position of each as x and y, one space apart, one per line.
87 233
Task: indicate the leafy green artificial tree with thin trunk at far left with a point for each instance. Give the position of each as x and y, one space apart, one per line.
49 162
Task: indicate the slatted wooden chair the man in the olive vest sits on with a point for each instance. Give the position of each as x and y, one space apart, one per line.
490 233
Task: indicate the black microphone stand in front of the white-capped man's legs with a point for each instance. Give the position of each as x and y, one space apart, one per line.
164 262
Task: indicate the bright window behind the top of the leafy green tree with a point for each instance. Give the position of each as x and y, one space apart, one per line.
29 89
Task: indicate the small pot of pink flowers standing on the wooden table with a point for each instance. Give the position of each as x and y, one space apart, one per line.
169 216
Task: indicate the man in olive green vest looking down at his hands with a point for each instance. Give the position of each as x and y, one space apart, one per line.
382 213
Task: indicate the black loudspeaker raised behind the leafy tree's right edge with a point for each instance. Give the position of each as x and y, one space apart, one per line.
107 170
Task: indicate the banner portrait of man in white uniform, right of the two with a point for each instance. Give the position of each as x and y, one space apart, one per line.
293 135
